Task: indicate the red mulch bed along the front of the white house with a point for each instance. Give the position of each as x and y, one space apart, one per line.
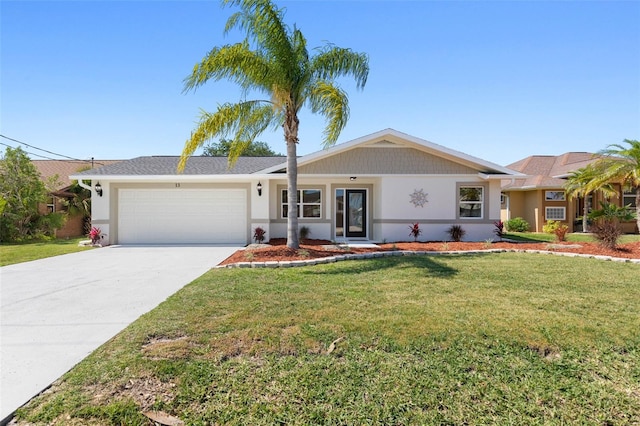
314 249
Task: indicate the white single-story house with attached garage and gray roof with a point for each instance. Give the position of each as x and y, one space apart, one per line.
368 189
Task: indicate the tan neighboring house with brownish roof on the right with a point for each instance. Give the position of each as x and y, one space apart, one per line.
540 195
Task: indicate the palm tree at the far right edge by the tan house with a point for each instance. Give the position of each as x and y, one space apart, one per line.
622 163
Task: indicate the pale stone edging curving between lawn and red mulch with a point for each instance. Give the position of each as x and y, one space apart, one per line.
377 254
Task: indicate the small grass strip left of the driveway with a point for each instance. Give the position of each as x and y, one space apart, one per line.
25 252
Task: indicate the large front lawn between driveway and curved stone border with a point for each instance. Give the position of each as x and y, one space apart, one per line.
478 339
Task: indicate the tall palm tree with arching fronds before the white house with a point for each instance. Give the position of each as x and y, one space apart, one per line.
274 60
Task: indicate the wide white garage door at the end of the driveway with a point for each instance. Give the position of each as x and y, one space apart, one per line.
183 216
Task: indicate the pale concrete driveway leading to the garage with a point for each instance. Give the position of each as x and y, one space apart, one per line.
56 311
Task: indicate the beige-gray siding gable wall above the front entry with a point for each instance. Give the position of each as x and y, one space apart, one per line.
372 161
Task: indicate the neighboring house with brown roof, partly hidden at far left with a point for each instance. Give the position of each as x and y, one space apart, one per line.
59 171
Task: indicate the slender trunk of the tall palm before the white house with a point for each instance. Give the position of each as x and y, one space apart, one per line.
291 137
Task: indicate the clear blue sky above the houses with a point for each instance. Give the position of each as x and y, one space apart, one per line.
500 80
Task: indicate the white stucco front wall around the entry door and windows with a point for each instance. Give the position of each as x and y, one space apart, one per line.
390 207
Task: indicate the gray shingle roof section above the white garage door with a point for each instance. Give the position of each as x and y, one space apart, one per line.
167 165
